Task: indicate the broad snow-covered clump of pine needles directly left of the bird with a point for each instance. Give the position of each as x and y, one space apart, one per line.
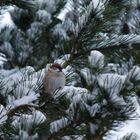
24 83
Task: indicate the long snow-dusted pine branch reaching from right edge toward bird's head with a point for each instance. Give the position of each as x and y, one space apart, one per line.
114 42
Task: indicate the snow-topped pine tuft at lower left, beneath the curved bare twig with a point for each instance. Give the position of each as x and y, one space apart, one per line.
25 123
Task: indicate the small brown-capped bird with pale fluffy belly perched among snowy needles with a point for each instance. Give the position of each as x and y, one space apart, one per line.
54 78
